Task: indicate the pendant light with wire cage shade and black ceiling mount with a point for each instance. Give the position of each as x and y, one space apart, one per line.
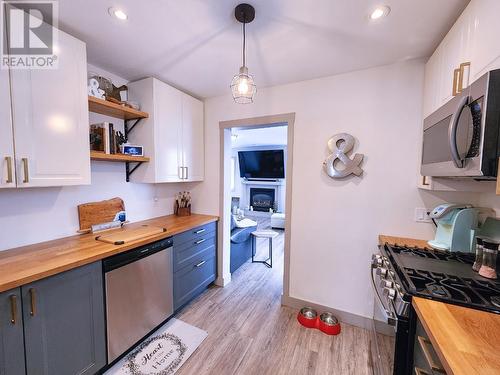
242 86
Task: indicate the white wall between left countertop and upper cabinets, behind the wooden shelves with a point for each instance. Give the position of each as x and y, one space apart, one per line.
39 214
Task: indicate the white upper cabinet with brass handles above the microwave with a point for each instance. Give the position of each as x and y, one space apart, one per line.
467 52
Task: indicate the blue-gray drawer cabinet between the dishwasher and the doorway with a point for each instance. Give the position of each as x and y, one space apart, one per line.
195 262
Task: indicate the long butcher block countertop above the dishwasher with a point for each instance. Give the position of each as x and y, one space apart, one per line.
34 262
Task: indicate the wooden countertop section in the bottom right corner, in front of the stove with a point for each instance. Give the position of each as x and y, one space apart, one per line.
467 341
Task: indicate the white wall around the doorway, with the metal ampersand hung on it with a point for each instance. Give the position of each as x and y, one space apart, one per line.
335 224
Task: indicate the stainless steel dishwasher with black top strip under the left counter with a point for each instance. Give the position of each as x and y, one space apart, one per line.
139 294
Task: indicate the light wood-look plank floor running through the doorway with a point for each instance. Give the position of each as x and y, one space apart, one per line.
249 332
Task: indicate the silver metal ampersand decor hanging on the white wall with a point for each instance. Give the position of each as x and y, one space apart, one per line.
339 145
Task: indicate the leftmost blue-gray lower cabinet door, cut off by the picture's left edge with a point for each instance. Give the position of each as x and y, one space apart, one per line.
11 333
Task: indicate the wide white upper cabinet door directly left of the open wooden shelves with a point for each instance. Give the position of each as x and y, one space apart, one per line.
51 123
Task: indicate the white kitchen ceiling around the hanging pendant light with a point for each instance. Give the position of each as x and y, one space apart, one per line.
195 45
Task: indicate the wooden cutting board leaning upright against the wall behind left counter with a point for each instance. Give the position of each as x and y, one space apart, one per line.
98 212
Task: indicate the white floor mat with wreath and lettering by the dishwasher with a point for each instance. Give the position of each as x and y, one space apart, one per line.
162 353
